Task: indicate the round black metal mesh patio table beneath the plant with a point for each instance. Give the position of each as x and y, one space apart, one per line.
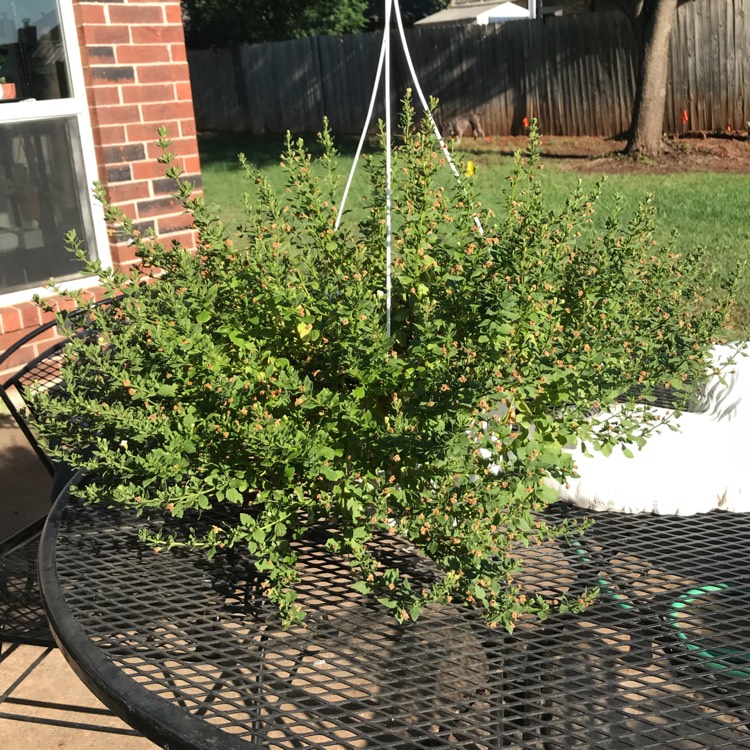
188 651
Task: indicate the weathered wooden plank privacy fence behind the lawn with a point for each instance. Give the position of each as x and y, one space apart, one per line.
575 73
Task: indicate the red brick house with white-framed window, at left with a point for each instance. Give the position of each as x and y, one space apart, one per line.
93 82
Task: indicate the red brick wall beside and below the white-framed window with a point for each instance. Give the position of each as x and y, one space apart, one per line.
137 79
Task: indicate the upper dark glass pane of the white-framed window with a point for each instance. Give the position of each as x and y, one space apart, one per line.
32 54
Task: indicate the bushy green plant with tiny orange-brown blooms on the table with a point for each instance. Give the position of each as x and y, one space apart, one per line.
252 383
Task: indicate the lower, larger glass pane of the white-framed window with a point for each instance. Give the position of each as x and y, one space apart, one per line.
41 198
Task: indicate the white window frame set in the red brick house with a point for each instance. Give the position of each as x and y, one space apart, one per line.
75 106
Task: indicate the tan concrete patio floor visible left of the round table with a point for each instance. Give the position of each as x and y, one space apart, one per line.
45 699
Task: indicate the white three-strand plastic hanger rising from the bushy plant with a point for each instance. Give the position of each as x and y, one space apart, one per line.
384 63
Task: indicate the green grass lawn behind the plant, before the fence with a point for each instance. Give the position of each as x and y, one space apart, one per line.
707 209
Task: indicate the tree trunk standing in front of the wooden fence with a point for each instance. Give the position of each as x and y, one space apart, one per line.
656 23
